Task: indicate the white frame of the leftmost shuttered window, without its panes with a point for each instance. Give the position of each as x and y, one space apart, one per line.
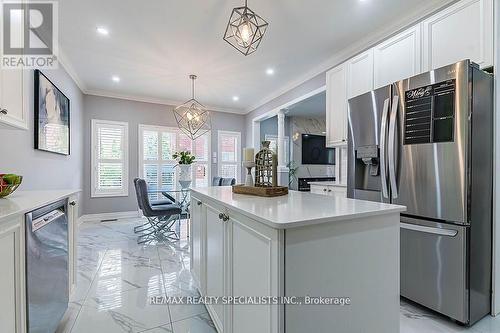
123 192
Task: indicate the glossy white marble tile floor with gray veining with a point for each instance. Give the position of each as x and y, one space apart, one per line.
116 277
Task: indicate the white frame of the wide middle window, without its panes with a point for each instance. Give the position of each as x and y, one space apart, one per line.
177 131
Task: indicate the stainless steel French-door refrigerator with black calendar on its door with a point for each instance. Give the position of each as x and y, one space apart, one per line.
427 143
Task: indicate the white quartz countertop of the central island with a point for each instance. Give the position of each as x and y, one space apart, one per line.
295 209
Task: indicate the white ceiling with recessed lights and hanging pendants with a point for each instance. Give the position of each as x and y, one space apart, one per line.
154 45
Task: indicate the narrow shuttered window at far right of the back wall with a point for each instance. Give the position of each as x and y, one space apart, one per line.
230 154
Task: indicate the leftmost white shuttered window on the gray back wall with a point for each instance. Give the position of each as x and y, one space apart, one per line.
109 158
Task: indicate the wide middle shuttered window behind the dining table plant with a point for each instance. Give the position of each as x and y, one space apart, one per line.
157 144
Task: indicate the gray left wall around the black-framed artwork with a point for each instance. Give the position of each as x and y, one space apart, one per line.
42 170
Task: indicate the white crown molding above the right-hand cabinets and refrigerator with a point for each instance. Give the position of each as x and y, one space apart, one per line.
356 48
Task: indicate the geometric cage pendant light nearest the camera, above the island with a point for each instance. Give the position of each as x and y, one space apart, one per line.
245 30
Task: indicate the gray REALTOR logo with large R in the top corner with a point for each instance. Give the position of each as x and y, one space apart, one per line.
29 34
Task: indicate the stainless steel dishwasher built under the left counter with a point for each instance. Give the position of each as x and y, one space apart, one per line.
47 288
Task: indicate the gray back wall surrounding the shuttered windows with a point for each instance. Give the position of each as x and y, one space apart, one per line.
136 113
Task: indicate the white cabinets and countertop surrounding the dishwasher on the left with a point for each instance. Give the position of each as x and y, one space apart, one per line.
12 251
